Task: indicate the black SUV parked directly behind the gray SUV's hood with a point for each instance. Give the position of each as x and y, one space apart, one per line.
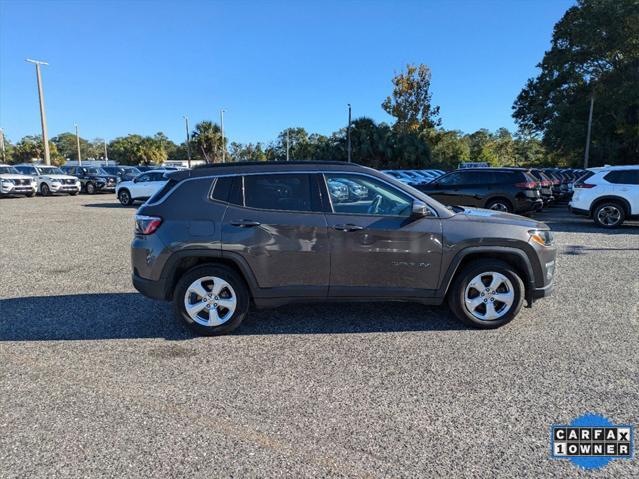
512 190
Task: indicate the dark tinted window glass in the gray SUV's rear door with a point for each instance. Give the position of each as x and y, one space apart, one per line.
287 192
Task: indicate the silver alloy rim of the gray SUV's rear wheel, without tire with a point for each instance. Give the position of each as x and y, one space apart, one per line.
210 301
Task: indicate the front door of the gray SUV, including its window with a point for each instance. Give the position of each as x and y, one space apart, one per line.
377 248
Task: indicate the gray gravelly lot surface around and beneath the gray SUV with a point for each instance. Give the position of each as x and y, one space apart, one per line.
96 380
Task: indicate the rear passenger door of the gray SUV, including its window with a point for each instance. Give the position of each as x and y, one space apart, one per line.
276 226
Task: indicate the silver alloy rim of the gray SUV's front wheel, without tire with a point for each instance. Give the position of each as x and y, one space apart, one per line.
489 296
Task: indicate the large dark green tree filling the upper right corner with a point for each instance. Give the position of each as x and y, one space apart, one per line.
594 51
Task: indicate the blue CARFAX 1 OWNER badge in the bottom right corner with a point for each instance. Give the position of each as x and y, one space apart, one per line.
591 441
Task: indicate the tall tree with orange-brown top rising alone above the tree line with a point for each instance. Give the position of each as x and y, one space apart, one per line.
410 102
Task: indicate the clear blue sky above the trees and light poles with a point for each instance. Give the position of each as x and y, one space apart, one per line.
120 67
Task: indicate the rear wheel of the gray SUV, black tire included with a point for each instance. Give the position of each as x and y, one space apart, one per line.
208 276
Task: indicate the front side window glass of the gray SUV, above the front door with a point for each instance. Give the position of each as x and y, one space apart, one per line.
363 195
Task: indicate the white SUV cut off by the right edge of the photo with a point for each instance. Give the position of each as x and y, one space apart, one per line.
608 195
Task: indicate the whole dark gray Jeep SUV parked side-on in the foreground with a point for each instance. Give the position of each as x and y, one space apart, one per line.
217 239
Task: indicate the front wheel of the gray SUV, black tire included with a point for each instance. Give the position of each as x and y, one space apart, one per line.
510 289
